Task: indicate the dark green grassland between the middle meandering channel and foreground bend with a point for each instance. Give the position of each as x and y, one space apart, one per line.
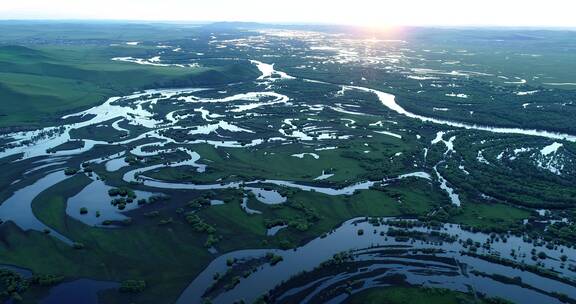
145 250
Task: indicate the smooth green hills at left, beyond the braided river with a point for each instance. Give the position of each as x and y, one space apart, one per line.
41 83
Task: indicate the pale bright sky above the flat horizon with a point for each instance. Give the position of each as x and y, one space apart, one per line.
357 12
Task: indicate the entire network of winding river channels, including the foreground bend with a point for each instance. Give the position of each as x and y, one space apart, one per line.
36 144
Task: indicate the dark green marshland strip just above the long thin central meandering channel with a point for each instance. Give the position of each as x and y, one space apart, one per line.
347 163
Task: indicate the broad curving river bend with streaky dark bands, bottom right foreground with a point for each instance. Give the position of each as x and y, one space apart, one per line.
413 266
